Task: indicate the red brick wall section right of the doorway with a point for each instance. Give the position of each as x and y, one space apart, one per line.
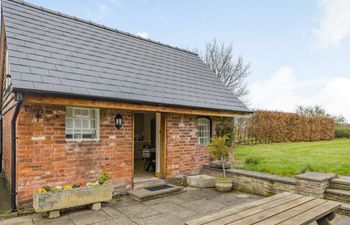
184 154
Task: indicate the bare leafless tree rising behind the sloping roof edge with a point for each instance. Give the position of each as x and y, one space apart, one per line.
232 71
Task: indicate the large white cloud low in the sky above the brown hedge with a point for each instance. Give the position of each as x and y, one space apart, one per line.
283 91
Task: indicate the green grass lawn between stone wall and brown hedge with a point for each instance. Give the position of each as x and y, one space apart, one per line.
294 158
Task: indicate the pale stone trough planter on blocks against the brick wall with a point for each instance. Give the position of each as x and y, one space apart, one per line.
52 201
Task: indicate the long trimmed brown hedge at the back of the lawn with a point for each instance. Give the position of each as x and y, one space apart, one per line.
269 127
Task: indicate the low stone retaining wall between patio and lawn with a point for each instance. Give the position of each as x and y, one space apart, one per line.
313 184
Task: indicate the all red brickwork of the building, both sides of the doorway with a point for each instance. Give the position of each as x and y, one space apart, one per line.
45 157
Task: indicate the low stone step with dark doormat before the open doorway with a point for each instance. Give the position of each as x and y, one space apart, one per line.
144 194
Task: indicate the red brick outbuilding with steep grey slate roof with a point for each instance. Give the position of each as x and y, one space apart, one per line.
80 98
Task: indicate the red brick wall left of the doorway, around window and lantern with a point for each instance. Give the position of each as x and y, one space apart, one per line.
44 157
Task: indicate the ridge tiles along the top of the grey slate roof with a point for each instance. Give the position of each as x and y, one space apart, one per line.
98 25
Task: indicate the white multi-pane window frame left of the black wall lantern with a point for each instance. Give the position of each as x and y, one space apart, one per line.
80 118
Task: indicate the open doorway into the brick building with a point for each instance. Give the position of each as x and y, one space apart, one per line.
146 145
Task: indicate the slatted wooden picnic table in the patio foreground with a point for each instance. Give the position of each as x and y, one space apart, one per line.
283 209
